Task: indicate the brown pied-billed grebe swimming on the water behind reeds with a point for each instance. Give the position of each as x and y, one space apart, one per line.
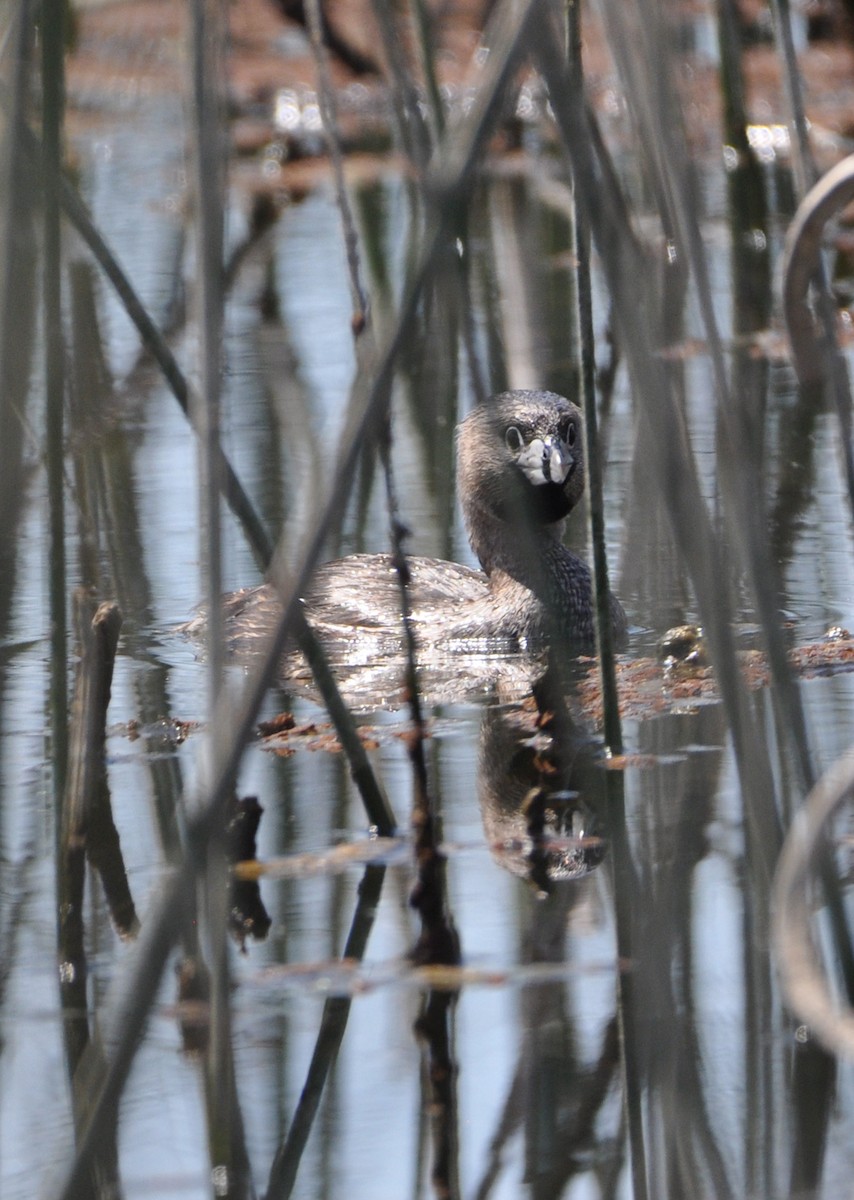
520 473
